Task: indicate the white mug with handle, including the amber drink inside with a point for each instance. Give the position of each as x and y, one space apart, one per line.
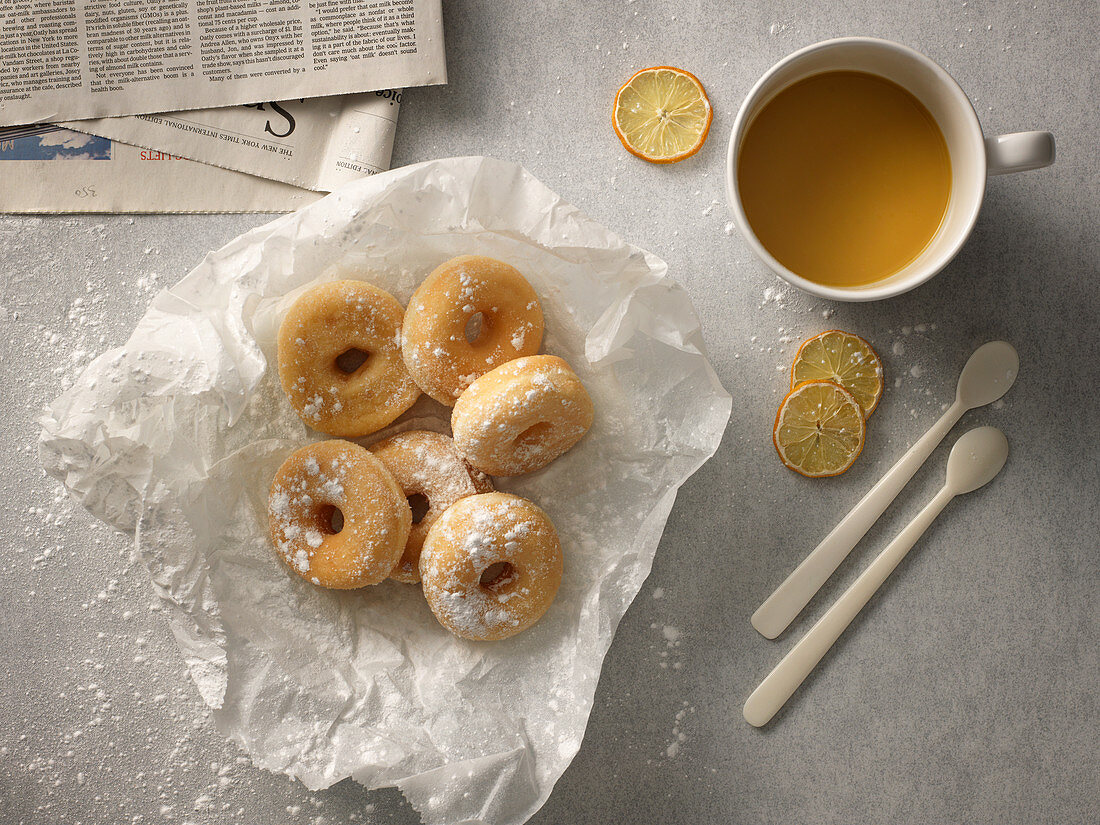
857 168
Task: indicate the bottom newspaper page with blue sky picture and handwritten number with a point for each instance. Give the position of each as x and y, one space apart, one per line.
47 169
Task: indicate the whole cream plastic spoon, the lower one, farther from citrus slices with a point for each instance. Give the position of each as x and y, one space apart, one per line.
976 459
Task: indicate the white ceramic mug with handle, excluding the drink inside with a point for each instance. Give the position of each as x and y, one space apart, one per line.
973 156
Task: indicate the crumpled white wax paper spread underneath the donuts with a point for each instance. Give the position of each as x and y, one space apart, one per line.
178 434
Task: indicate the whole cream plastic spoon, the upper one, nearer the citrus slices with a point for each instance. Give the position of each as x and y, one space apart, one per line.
987 377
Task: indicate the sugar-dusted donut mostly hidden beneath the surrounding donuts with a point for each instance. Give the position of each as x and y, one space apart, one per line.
427 465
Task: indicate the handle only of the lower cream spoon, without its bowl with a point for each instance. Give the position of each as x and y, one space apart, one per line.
778 686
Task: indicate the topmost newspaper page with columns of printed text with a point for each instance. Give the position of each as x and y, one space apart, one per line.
72 60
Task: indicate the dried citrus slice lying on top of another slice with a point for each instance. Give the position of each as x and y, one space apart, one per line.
820 430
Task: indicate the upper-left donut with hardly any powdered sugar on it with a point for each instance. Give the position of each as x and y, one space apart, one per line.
322 344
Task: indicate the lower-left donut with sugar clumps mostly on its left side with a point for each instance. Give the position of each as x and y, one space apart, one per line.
314 485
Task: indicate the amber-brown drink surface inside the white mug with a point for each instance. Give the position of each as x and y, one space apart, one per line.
844 178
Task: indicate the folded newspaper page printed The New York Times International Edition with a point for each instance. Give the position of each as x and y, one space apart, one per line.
317 145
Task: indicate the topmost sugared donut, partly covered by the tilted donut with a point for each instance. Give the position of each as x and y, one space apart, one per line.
437 353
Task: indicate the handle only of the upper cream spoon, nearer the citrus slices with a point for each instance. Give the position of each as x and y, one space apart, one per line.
788 600
